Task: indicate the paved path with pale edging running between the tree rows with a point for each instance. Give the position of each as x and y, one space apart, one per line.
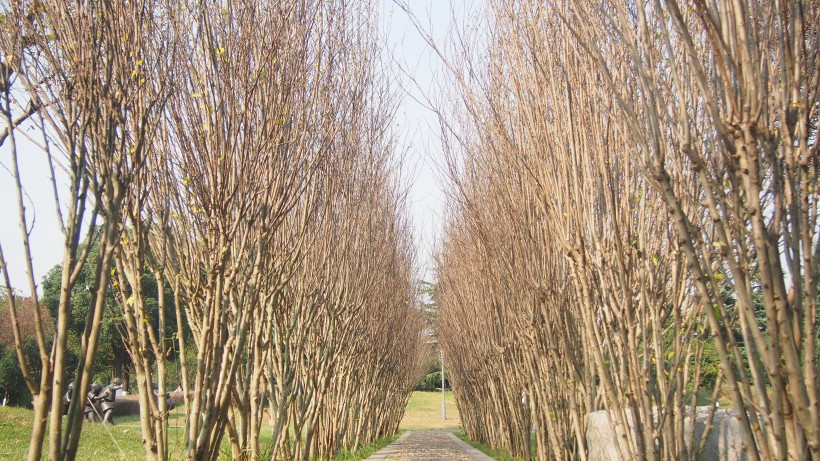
429 446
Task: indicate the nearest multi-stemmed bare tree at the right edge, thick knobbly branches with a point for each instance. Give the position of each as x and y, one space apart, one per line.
729 93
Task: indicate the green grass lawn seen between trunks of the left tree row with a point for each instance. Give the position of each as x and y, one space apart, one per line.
123 440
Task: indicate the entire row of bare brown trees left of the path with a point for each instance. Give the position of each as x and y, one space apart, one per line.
242 151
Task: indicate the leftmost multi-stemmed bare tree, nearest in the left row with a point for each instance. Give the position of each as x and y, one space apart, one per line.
86 76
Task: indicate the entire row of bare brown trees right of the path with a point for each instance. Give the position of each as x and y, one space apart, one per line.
634 181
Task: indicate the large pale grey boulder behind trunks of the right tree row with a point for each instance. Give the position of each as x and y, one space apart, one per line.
723 442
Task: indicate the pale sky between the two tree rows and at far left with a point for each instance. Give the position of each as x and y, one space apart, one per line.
417 126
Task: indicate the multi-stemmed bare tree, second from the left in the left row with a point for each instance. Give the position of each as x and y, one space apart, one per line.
237 161
